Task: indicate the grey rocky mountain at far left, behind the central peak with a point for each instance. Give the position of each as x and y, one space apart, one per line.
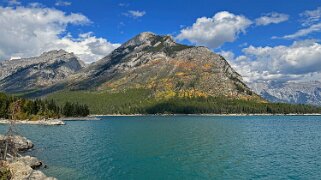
27 74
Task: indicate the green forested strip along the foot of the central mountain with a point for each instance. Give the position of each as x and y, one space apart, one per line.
142 101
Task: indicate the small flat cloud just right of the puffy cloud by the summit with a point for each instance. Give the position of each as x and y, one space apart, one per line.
271 18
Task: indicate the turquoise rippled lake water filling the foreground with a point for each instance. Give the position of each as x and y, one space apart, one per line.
181 147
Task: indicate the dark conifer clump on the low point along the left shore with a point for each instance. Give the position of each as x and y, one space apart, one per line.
19 108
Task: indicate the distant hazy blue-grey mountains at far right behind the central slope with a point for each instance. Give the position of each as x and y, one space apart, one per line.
290 92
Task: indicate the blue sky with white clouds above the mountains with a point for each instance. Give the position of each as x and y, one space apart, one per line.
264 40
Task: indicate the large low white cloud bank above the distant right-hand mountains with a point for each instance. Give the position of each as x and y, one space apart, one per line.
280 63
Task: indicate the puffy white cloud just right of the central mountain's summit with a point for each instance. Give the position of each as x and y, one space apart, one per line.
213 32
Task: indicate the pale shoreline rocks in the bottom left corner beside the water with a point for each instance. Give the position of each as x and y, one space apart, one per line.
23 167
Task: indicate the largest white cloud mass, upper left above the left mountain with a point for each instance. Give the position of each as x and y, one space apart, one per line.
30 31
